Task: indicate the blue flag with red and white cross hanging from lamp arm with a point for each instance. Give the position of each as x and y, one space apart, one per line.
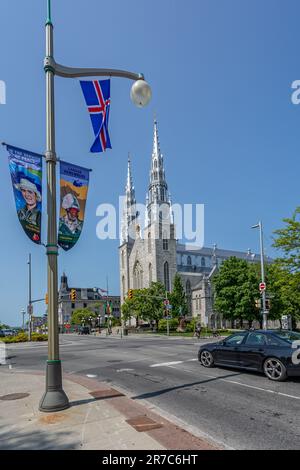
97 97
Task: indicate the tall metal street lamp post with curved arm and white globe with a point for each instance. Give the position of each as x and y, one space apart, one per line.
54 398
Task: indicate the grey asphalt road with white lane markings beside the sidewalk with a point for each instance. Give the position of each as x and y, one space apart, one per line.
239 409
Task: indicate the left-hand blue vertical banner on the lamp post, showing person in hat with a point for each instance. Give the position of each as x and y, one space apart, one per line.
26 176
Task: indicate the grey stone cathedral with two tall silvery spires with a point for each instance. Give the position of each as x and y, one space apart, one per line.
149 251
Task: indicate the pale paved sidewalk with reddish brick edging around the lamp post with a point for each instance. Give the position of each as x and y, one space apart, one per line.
100 418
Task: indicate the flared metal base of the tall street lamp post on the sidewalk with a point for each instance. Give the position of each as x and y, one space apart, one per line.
54 399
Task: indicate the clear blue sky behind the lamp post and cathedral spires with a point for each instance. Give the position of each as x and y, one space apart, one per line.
221 74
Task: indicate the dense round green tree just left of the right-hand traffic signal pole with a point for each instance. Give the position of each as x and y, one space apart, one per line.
236 288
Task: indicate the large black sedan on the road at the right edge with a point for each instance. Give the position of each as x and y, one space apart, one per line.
273 352
